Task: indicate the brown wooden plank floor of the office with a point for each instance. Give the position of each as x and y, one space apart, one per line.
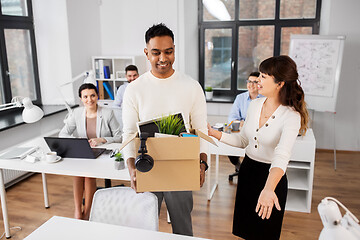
210 219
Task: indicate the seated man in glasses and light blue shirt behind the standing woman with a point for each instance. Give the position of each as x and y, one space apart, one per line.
240 106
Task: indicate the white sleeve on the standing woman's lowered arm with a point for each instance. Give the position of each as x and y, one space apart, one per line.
288 136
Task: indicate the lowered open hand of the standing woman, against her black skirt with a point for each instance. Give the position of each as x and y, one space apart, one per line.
266 202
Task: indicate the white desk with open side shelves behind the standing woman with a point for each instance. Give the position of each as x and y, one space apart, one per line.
300 171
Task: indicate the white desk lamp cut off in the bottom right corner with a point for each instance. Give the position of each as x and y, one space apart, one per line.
337 227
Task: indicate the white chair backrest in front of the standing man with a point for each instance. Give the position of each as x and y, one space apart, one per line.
123 206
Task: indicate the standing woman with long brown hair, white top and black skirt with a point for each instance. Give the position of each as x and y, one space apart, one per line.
269 133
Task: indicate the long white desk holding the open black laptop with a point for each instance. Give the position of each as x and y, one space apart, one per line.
102 167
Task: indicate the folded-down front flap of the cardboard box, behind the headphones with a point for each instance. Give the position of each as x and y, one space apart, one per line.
172 148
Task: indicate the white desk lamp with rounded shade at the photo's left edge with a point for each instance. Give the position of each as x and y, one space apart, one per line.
30 114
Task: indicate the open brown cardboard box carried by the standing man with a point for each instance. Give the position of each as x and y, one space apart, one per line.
176 163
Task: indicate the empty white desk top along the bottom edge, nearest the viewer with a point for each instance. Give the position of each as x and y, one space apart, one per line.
60 228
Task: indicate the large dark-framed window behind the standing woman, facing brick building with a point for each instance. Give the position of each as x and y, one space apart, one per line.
236 35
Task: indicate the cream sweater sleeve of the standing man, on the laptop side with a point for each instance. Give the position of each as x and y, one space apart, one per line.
130 117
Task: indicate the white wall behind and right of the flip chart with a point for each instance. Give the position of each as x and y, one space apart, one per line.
339 18
